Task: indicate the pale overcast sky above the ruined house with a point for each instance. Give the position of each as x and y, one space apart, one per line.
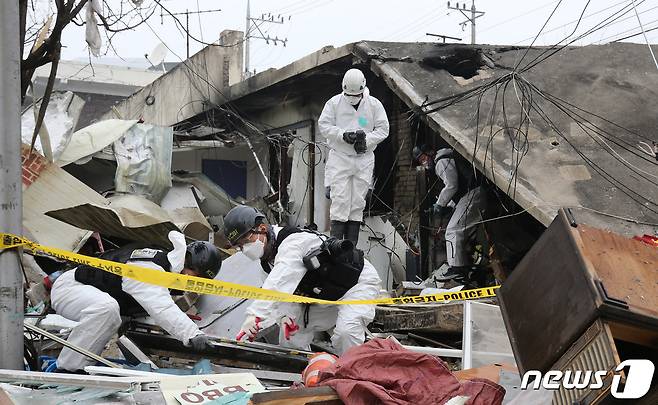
316 23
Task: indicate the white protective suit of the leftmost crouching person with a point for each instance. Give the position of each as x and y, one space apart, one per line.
98 313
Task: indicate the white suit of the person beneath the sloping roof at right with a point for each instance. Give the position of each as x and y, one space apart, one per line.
467 211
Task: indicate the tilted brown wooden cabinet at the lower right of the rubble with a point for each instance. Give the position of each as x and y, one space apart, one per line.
582 298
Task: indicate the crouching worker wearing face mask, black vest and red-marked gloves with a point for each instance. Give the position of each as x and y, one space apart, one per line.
309 264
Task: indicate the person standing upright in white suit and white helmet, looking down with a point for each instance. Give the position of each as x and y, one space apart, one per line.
354 123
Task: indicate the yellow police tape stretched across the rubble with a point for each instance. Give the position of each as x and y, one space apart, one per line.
217 287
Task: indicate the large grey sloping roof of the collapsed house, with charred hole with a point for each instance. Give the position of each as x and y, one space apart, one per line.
570 127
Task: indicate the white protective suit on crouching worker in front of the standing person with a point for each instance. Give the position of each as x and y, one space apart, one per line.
349 321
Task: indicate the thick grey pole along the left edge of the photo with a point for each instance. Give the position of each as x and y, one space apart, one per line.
11 209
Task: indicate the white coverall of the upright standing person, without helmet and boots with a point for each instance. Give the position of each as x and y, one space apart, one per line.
350 175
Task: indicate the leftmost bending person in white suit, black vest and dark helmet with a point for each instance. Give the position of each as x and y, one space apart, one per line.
98 299
